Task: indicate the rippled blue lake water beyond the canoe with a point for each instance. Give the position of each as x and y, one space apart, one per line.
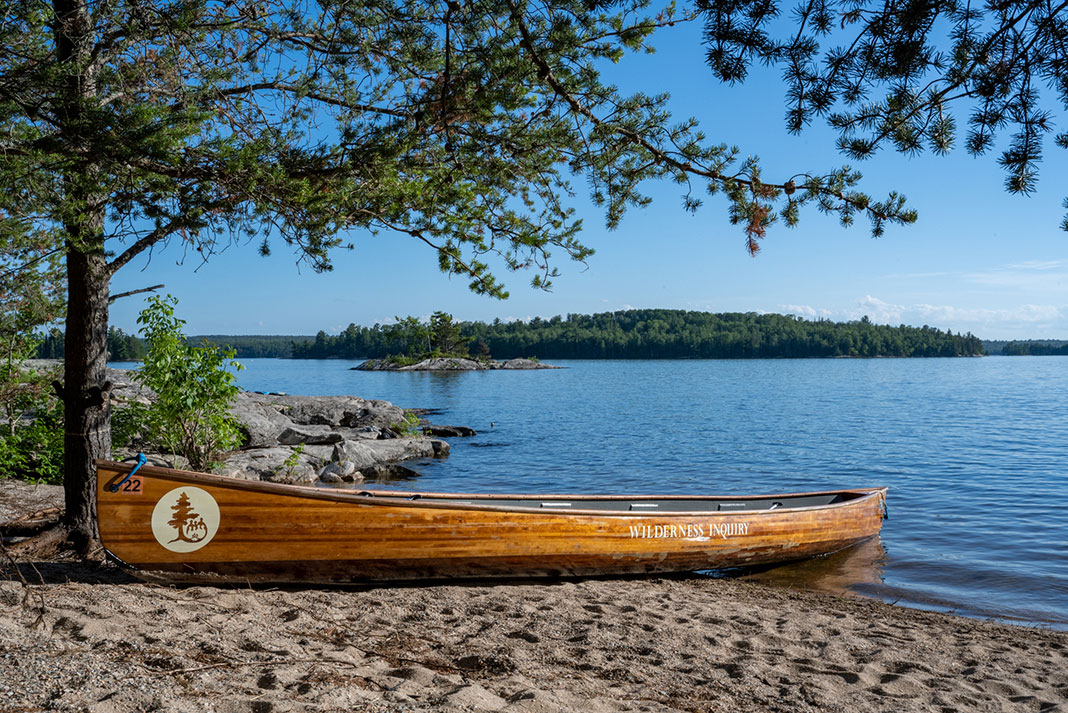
973 452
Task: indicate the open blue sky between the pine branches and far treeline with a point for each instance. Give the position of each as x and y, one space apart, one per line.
979 260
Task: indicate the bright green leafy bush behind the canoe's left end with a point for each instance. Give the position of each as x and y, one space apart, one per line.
194 390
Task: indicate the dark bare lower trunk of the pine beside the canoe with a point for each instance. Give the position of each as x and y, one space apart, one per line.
86 391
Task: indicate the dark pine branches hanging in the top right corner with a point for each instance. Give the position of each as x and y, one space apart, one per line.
901 74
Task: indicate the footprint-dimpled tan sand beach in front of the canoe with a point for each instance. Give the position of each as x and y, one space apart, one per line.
86 637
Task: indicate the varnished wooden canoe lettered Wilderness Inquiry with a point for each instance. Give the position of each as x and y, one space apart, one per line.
190 527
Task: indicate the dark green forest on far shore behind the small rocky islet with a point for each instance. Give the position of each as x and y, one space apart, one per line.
664 335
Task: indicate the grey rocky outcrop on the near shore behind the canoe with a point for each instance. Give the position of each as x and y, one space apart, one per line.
305 439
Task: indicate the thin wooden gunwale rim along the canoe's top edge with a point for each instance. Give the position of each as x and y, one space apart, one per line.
447 501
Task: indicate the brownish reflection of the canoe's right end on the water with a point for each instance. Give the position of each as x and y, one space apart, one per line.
841 573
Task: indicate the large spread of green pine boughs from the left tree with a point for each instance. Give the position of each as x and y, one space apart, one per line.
462 128
